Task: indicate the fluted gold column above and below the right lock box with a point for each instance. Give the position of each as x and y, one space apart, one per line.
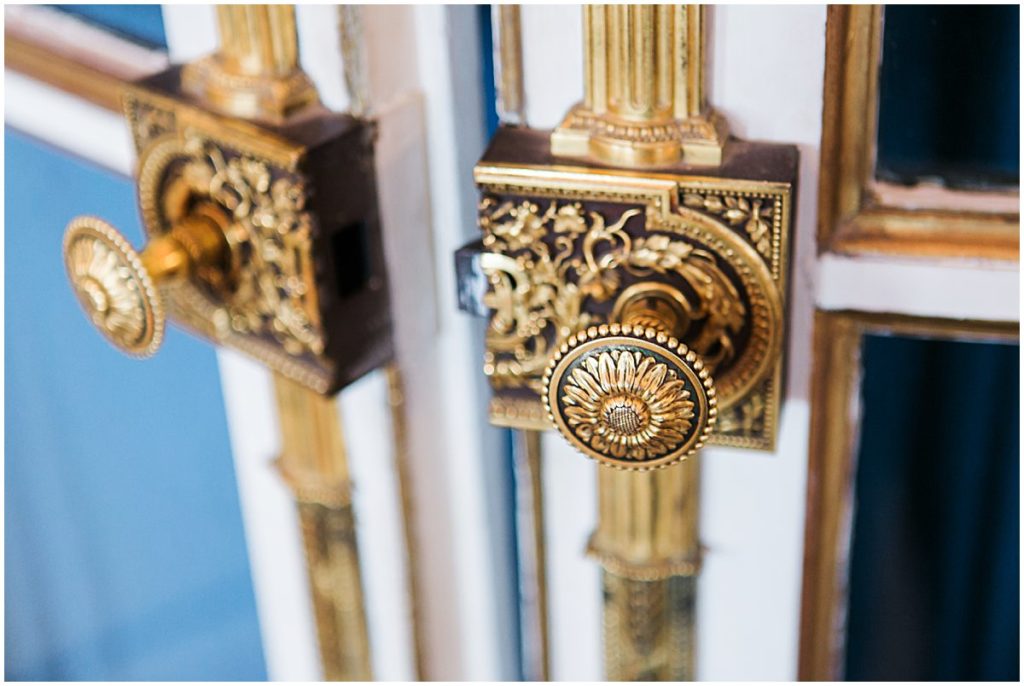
645 105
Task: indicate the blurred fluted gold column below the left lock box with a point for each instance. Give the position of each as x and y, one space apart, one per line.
315 464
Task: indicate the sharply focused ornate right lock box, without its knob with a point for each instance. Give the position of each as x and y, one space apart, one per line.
567 243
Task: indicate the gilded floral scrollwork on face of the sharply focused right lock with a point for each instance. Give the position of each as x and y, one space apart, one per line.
547 262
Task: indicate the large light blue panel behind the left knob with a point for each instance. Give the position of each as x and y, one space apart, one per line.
125 552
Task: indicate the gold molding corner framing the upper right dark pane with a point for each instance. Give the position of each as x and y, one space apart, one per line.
861 216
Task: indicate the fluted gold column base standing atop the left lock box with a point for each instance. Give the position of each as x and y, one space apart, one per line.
255 74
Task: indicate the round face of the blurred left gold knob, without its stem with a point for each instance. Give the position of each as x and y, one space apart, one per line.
113 286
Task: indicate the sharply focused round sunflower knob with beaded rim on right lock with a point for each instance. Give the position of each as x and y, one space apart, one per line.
631 398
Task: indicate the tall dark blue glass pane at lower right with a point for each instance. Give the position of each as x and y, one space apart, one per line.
935 567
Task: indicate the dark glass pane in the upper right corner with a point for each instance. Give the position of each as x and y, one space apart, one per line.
950 96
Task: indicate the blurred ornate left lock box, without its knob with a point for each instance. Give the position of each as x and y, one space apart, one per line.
306 292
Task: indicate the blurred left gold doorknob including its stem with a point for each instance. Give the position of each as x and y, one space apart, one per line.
118 287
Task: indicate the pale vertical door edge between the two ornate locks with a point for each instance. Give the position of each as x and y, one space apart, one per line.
462 516
